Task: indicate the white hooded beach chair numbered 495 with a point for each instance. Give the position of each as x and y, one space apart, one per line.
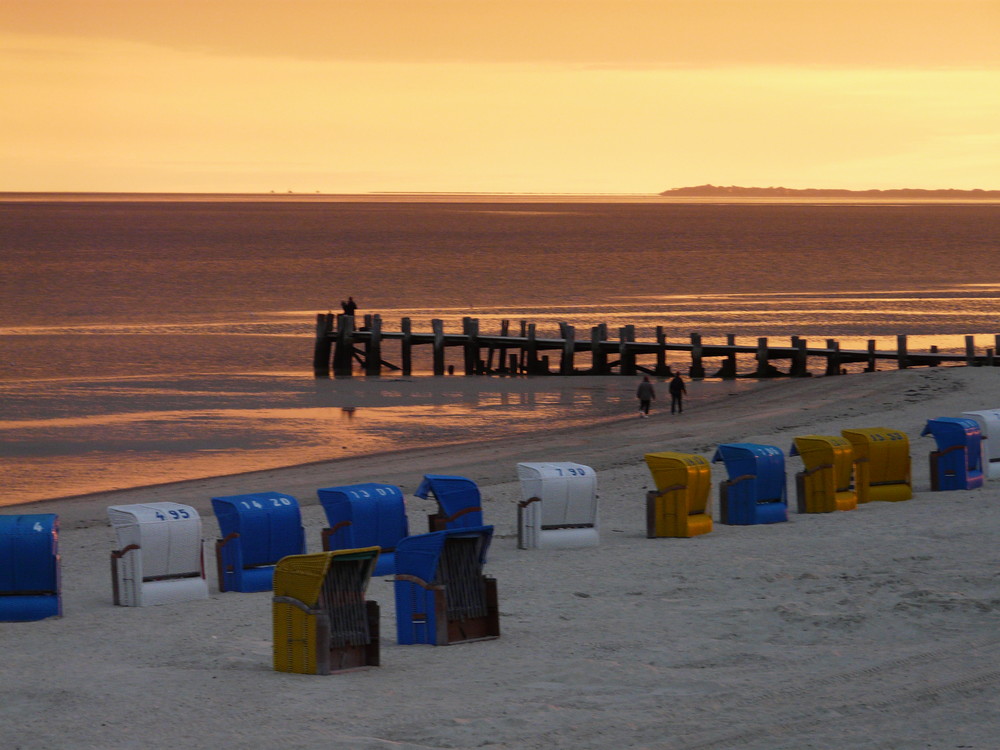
160 559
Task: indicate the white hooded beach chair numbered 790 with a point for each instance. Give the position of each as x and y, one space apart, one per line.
558 509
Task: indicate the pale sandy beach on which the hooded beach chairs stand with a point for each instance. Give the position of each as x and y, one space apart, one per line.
875 628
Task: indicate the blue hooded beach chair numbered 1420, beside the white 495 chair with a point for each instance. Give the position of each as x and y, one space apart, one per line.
258 529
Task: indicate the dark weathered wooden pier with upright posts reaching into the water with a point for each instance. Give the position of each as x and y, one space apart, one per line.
341 341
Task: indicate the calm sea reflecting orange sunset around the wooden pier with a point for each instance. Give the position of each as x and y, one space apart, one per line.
148 339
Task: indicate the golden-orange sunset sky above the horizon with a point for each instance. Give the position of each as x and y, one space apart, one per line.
532 96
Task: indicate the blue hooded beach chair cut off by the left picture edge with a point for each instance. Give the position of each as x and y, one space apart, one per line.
29 567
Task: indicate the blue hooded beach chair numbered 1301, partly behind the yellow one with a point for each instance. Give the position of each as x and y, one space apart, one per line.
365 515
